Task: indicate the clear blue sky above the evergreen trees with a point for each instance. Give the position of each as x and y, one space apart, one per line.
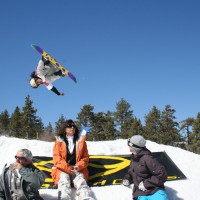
147 52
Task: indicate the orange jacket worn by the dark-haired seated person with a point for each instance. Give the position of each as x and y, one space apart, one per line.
60 155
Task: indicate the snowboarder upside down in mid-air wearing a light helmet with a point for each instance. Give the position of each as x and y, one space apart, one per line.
46 73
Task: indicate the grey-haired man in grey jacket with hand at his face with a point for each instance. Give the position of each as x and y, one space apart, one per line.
21 179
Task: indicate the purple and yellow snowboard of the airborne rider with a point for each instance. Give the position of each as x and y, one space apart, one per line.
53 61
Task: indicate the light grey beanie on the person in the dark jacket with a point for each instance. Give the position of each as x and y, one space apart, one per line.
137 142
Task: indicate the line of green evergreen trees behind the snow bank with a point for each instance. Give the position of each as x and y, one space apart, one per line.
159 126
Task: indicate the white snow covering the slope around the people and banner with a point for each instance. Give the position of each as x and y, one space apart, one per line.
188 163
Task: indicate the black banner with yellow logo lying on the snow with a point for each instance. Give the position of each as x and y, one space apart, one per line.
108 169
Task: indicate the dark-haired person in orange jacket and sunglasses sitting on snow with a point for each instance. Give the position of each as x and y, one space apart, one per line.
70 159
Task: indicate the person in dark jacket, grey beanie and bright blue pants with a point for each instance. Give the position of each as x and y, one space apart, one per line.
145 172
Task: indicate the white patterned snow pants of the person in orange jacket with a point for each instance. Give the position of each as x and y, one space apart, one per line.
64 187
